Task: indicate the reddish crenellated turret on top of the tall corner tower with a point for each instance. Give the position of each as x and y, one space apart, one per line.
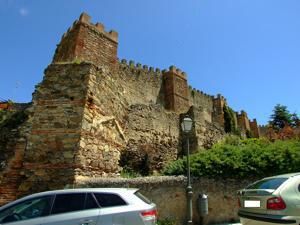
85 41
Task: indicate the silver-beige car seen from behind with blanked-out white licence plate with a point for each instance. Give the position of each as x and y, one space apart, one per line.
270 201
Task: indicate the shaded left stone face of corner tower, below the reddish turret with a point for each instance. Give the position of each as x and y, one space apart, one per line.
51 156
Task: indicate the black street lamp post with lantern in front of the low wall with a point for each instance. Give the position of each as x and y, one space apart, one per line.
186 126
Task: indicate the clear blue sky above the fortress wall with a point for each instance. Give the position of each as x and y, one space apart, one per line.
247 50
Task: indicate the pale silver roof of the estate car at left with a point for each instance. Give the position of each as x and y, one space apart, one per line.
75 190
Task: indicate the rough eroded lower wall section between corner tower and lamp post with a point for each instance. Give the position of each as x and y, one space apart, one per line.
153 138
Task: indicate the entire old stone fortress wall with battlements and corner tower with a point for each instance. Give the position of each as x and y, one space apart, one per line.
93 115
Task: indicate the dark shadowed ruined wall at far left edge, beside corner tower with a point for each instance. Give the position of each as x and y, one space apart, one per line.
13 136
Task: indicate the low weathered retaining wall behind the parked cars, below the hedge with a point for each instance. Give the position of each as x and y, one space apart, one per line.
169 194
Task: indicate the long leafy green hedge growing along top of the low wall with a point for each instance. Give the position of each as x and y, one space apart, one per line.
241 159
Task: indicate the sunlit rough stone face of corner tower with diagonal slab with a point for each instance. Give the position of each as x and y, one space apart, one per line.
104 118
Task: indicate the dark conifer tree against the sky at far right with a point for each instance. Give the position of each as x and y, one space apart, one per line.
281 116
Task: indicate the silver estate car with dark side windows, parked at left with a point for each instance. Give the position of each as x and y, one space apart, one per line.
95 206
